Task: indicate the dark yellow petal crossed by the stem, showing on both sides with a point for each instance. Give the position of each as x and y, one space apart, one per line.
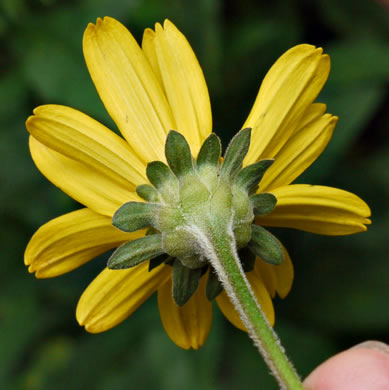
260 292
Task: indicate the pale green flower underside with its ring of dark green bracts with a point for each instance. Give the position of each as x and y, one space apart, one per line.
185 200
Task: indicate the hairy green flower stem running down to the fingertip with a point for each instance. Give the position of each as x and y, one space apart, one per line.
222 254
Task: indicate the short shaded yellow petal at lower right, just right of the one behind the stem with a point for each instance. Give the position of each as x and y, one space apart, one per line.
277 278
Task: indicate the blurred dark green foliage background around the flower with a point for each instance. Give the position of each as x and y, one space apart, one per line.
340 294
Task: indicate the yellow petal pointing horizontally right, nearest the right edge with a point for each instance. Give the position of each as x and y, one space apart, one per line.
317 209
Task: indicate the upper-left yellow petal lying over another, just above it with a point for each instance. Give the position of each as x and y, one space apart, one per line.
81 138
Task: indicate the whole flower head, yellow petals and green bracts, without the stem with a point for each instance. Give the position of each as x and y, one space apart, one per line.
149 91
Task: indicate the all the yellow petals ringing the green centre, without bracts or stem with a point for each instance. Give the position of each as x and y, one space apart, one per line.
148 91
